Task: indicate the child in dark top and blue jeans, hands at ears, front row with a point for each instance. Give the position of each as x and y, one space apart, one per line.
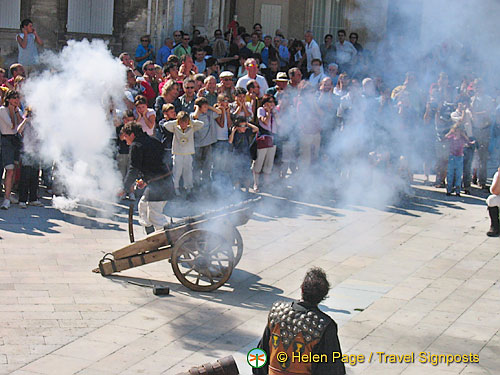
240 139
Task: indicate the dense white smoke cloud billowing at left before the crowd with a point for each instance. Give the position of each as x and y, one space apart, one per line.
70 103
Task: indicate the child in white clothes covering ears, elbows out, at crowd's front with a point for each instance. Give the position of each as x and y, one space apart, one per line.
183 129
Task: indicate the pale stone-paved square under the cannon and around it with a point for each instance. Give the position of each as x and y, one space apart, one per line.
417 277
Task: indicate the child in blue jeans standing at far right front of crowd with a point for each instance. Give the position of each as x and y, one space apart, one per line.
457 140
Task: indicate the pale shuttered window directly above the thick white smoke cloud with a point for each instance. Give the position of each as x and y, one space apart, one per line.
90 16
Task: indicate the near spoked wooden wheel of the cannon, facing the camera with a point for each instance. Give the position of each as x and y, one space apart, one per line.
202 260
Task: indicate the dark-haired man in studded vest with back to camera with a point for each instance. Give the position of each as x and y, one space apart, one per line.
300 328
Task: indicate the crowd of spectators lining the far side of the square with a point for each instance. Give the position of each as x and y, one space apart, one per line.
245 110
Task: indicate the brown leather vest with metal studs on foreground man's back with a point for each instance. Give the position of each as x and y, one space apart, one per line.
295 331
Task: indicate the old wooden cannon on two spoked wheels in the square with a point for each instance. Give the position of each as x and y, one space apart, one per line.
203 250
